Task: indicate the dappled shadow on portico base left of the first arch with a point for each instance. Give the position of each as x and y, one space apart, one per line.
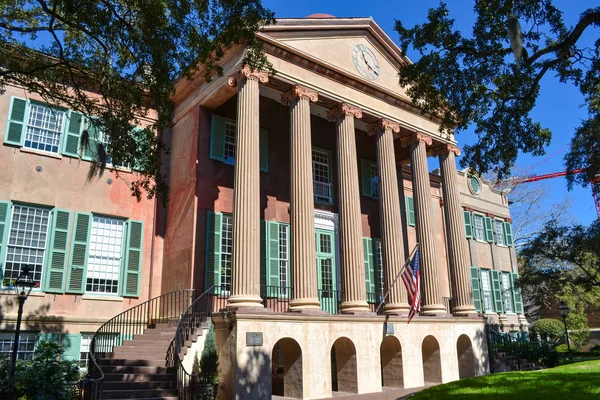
254 380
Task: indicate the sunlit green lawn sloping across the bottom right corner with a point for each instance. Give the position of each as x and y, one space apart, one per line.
576 381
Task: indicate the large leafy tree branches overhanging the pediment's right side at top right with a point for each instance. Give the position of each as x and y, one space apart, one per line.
492 78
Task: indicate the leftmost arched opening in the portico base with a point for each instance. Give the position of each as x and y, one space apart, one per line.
286 369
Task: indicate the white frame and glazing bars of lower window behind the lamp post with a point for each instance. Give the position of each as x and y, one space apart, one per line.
23 247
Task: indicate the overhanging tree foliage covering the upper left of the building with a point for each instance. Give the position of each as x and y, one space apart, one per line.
117 60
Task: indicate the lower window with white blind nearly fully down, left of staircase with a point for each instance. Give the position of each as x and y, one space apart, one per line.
104 260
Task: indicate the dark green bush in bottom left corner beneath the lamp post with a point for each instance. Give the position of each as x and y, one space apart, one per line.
44 377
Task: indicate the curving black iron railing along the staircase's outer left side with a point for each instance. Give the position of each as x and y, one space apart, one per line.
125 326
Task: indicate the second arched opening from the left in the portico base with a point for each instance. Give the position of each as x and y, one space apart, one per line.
343 366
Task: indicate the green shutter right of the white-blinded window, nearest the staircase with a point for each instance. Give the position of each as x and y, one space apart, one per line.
132 265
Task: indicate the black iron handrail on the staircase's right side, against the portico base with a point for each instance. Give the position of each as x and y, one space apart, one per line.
194 318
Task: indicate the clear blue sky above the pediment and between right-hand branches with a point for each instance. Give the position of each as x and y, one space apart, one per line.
559 106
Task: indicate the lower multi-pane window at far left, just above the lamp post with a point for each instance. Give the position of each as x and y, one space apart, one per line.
27 242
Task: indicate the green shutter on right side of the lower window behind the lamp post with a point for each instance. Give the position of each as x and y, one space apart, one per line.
56 262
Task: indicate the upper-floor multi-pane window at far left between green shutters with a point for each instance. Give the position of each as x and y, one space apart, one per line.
44 128
